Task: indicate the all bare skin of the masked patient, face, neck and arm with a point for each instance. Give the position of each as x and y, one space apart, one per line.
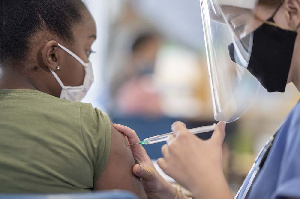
34 73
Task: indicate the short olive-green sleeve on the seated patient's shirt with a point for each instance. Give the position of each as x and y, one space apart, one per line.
96 133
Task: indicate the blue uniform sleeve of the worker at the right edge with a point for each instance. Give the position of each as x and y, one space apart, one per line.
289 176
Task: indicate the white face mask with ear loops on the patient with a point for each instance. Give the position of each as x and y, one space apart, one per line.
76 93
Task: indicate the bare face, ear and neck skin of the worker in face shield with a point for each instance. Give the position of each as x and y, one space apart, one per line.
287 17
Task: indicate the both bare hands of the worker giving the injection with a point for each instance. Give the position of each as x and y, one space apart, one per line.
180 160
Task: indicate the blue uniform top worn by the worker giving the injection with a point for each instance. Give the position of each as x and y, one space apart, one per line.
280 174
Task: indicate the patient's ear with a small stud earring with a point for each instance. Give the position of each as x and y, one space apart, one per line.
50 55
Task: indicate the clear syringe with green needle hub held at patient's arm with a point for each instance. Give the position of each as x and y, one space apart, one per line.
164 137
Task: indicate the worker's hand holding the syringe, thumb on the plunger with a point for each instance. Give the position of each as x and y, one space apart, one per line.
194 163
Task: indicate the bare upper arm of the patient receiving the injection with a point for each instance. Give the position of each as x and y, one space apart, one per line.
118 171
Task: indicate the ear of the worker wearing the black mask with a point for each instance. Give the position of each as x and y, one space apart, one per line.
292 12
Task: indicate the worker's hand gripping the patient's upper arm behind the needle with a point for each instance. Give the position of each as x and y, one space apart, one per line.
155 185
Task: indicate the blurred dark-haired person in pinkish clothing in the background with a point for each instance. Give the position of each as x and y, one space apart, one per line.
133 88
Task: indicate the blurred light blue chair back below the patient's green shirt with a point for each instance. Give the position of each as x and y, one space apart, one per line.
114 194
